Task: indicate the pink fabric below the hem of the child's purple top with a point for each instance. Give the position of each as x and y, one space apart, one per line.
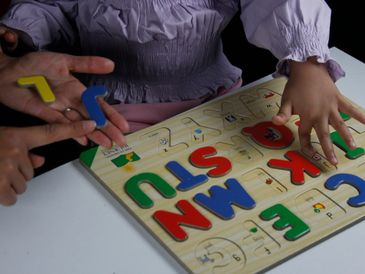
140 116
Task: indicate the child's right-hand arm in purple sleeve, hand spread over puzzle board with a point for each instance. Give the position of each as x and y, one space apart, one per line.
297 33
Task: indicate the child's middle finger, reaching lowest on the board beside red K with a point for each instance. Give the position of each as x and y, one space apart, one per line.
322 130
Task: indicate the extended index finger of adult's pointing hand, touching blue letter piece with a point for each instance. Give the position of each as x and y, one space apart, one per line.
50 133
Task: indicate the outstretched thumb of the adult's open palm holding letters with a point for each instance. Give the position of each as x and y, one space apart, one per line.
89 64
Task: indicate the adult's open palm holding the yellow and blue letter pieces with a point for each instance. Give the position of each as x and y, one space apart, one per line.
57 68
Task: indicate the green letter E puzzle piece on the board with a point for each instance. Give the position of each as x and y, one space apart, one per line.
286 219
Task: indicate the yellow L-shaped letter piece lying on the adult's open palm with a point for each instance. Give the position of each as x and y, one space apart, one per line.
41 85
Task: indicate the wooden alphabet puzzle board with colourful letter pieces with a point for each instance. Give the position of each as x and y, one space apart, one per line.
226 191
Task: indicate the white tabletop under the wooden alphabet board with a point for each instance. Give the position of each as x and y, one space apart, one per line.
67 223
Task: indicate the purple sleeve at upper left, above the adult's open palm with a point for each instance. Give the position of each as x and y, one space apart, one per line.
42 23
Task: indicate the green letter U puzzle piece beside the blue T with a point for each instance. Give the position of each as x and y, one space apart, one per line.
132 188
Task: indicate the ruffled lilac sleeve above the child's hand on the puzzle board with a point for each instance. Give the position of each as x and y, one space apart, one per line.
291 30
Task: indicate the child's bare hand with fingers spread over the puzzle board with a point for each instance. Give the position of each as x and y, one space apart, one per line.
311 93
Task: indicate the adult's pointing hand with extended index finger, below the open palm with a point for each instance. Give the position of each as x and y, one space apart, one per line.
17 164
